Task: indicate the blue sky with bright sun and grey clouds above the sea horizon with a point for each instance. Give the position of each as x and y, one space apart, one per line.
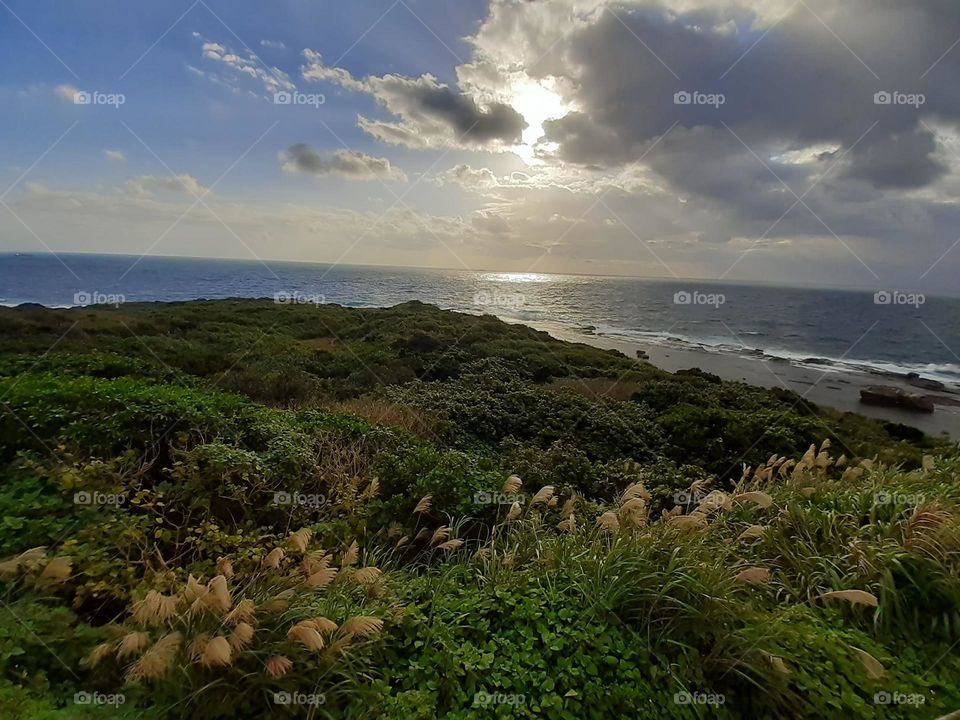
781 141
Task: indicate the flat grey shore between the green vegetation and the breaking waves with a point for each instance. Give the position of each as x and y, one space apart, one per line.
821 384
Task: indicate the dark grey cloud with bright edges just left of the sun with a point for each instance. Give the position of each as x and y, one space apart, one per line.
431 114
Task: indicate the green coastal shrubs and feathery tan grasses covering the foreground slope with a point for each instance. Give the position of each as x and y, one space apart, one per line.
238 509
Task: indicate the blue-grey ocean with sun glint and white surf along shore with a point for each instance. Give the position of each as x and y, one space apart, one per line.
887 331
